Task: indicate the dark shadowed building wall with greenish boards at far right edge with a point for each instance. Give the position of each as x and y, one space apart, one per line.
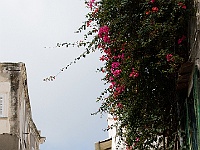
190 76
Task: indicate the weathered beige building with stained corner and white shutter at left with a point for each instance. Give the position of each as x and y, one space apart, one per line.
17 129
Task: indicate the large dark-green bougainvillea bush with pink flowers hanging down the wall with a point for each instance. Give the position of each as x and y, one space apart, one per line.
143 43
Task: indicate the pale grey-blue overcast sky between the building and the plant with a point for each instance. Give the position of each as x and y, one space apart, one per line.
61 109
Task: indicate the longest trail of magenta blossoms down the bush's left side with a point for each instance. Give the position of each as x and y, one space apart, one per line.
116 62
